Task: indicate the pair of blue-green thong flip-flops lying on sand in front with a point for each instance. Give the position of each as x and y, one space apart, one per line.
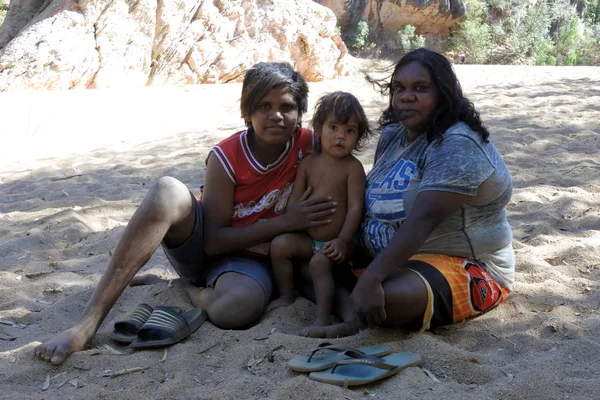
347 366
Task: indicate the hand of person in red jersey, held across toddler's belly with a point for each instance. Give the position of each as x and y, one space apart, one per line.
309 213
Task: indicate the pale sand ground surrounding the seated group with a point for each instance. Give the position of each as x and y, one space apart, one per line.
74 166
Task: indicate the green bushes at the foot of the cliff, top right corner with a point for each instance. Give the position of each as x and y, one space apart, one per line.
549 32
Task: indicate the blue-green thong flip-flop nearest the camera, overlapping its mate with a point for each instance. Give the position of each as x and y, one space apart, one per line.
353 369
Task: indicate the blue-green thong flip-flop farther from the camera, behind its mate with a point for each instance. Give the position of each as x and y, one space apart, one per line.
314 362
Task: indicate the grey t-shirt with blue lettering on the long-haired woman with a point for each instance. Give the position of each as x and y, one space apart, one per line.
461 163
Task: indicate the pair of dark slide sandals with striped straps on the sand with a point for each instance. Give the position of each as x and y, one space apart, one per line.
146 328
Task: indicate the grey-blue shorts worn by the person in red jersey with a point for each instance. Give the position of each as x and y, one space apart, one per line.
192 264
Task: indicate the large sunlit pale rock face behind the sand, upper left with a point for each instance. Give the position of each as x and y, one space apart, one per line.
62 44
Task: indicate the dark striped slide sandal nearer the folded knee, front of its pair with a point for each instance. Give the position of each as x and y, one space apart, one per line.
167 326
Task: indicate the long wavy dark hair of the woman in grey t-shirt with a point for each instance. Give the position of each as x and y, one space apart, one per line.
453 106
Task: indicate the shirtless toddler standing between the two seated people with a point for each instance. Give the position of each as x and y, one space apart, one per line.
341 126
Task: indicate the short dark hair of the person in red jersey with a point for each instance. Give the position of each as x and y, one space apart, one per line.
264 77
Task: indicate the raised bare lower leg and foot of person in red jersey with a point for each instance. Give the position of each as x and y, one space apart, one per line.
167 212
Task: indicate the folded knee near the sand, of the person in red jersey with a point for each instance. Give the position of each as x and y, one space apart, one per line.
236 301
